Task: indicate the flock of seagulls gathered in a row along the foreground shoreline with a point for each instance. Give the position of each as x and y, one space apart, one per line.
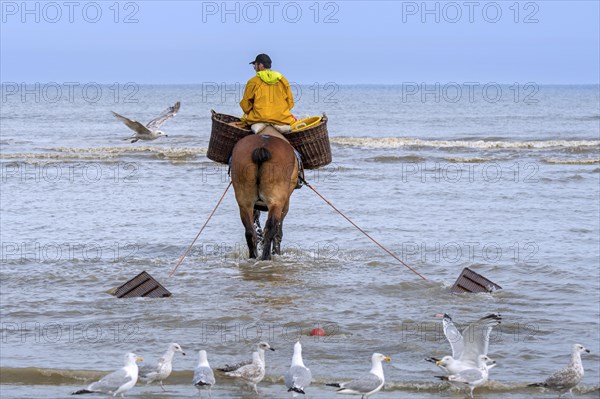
468 366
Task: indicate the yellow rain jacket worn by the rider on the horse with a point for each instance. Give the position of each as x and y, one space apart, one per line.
268 98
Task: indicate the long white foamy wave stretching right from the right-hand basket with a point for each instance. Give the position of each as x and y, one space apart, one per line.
399 142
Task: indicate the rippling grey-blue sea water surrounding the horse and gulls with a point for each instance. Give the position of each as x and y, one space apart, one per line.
505 182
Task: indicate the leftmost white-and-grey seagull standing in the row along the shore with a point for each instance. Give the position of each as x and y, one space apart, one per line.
118 382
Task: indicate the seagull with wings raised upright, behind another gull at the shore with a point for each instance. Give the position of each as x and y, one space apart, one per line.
468 345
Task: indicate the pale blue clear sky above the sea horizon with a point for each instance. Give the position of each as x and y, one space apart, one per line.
346 42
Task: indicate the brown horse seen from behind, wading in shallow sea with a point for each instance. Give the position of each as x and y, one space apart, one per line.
264 173
